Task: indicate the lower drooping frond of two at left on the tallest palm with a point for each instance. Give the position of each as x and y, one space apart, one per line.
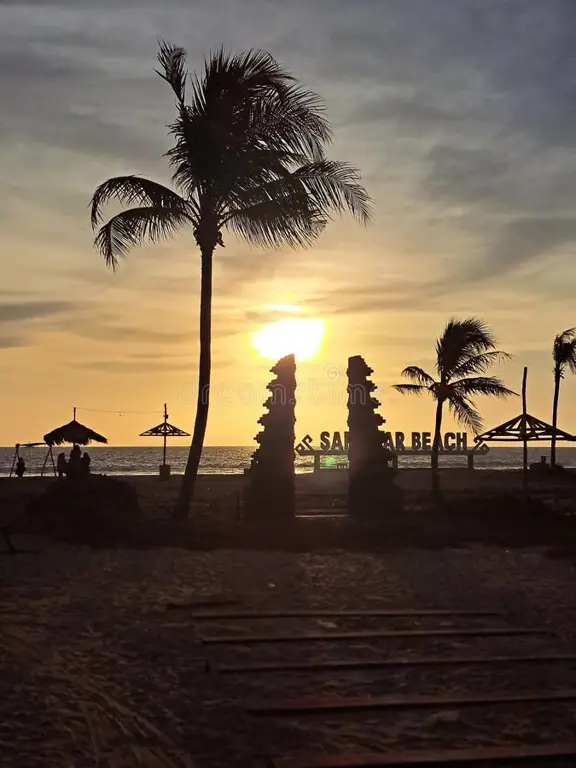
137 226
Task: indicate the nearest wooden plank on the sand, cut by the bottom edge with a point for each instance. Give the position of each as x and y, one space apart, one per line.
458 757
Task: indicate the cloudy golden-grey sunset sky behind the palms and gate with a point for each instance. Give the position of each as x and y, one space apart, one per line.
461 115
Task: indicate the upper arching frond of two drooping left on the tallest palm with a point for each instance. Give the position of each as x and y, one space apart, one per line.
136 191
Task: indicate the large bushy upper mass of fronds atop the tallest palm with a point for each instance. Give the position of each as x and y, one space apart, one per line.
248 119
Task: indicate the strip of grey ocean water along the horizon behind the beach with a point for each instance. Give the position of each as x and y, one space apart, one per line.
232 460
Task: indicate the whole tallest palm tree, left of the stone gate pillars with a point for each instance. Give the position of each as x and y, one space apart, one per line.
248 156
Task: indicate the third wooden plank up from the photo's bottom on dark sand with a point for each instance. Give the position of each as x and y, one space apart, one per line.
416 661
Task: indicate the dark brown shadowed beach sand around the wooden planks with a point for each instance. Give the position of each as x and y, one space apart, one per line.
97 670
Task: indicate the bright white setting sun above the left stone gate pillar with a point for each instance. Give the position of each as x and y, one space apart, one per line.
298 336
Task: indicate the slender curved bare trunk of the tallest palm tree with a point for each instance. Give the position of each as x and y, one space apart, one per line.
191 472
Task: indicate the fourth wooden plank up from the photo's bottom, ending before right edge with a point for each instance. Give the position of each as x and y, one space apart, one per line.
370 634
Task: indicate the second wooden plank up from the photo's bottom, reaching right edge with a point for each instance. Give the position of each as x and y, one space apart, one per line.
308 706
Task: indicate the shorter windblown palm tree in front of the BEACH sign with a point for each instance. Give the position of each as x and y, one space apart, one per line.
463 352
